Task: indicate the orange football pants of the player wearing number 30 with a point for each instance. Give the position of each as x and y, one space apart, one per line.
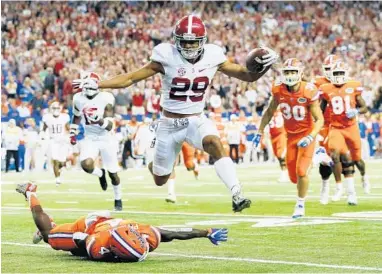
298 159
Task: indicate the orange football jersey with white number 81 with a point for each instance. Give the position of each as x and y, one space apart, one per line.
341 99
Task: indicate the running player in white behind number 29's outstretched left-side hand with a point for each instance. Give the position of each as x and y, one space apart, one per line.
95 111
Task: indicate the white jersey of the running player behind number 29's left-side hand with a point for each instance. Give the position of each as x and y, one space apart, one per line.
97 104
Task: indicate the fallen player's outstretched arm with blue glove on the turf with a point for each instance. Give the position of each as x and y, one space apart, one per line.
213 234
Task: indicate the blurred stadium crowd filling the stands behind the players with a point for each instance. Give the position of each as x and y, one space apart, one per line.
48 44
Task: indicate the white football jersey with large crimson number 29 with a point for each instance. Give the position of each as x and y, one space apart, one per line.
184 84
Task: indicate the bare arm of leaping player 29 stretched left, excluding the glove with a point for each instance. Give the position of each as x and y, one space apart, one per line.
128 79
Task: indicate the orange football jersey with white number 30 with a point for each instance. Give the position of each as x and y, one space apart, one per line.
294 106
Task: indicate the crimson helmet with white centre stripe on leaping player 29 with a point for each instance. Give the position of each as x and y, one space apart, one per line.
190 29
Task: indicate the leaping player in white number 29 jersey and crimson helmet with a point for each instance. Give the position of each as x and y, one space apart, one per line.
187 69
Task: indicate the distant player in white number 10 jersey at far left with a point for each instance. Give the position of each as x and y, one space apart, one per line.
57 124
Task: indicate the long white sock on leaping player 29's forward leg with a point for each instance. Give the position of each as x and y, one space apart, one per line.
226 171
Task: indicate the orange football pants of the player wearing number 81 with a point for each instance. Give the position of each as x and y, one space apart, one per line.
346 139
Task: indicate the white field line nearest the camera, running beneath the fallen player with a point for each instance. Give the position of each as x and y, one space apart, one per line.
246 260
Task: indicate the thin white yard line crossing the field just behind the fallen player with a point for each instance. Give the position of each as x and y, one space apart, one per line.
153 213
